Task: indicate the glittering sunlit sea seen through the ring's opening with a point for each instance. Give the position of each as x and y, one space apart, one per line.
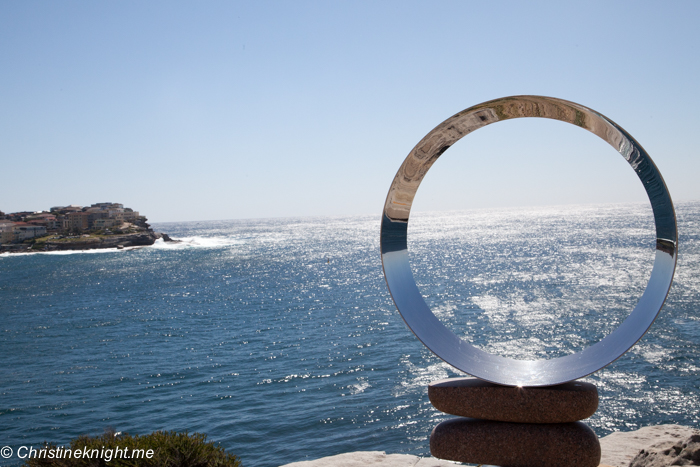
533 283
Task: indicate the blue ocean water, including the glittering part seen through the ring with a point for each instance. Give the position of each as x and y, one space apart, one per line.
279 339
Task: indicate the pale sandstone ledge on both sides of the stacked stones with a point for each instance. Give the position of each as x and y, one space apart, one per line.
653 446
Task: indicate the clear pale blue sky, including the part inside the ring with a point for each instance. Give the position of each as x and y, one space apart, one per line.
213 110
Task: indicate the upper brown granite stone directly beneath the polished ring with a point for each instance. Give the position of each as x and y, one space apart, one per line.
471 397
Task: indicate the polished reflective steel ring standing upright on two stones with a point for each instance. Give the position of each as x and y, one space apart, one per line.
459 353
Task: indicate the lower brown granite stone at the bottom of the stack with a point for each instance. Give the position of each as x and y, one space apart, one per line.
515 444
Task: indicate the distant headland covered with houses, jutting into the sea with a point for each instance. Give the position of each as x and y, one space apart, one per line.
20 226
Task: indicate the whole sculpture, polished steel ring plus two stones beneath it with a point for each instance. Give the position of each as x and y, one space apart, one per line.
544 382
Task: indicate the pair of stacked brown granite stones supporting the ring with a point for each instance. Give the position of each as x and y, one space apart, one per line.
515 426
